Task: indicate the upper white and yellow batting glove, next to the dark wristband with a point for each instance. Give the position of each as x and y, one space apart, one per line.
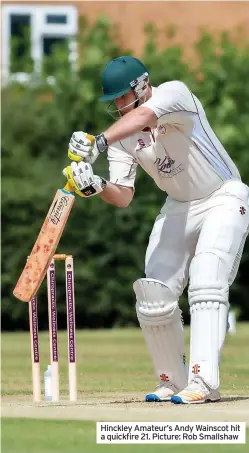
83 146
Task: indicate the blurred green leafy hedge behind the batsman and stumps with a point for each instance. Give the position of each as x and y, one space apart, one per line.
108 243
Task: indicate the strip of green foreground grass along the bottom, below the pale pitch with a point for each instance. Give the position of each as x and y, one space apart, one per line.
46 436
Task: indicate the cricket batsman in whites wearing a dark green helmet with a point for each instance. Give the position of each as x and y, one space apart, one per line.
199 234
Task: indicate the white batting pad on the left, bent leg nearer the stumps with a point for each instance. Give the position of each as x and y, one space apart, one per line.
160 319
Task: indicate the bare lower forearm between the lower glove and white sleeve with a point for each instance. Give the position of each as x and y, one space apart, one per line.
119 196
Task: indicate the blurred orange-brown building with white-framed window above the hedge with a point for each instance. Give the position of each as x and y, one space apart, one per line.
54 21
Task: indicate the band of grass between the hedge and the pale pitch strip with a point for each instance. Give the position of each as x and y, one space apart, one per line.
112 361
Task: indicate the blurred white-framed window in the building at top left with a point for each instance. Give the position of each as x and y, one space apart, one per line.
30 33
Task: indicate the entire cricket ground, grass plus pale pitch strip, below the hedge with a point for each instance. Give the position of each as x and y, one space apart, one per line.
114 373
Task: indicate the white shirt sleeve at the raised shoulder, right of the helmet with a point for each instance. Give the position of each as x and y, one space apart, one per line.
173 101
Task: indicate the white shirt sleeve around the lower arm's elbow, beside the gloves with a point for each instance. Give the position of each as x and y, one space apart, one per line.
122 165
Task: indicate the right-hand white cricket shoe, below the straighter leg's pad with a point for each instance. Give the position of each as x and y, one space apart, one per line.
196 392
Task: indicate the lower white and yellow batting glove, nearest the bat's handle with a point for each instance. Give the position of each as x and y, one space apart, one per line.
81 178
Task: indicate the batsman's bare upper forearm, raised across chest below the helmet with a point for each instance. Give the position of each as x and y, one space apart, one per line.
129 124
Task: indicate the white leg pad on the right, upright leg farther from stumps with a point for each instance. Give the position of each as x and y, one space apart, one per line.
208 299
